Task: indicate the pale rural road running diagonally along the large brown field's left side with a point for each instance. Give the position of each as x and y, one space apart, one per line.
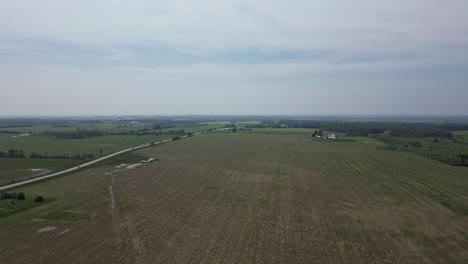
18 184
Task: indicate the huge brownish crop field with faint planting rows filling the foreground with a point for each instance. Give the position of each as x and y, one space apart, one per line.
258 196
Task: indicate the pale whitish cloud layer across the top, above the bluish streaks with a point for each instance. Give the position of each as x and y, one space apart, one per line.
227 25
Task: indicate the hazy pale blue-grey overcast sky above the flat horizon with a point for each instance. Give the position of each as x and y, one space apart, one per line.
150 57
